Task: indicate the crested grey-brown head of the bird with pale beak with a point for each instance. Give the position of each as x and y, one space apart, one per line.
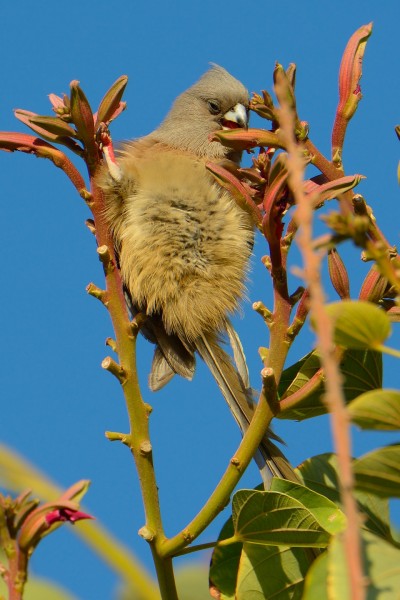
217 101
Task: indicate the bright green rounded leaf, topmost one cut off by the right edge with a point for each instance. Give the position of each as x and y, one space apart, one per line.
377 409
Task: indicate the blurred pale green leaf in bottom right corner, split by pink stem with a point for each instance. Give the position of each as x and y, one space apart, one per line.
328 576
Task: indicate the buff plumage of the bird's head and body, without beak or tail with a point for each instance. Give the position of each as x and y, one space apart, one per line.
183 241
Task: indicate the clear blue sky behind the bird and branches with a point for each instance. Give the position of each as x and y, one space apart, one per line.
56 400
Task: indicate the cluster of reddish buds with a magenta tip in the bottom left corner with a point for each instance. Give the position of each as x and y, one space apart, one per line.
24 523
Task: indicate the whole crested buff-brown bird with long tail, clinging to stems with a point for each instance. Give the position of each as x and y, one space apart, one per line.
183 243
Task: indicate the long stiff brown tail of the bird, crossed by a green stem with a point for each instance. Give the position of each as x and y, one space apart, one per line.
235 388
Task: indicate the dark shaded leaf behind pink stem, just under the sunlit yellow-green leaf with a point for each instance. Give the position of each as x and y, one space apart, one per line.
361 370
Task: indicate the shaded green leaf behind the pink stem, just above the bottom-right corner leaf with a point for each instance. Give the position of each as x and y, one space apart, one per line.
320 474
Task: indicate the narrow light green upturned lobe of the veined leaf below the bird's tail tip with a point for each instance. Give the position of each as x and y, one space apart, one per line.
326 512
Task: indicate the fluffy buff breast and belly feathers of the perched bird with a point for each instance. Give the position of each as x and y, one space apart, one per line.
181 238
